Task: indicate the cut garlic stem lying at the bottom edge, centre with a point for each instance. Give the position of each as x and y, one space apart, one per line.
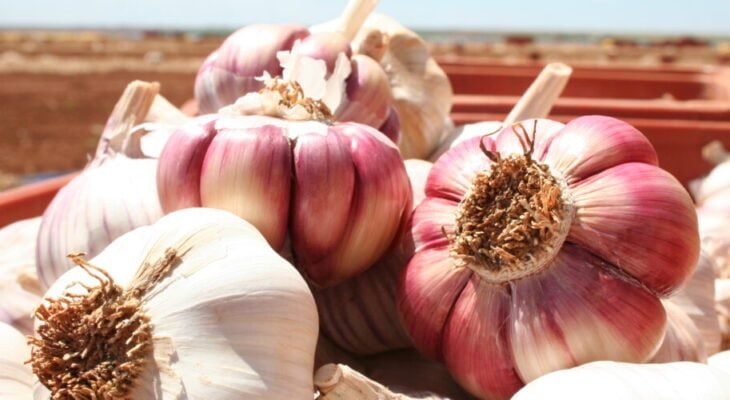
340 382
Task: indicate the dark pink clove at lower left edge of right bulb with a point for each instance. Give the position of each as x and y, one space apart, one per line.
428 288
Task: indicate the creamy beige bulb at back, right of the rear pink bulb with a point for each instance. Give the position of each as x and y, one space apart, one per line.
421 90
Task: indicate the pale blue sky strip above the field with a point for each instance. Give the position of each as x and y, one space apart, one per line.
600 16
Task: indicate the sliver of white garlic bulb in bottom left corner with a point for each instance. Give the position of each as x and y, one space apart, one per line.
16 379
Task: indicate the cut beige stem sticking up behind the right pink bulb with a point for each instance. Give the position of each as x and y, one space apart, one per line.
538 99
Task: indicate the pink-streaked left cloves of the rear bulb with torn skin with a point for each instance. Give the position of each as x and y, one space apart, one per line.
230 71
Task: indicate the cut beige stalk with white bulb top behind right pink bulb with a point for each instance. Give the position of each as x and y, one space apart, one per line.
535 103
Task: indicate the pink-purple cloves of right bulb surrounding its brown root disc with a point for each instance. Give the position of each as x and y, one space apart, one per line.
633 239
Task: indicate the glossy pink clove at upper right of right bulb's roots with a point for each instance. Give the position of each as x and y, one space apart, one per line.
588 145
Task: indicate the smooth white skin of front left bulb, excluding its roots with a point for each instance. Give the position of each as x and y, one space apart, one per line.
232 319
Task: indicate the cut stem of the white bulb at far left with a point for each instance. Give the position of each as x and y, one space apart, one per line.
130 110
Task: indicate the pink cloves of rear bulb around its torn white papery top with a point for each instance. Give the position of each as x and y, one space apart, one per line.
230 71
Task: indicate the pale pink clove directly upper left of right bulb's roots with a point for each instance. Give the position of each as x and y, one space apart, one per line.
451 176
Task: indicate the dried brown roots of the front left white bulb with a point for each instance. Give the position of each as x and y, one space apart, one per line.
95 345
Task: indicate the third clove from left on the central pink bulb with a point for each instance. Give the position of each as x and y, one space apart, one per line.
320 216
